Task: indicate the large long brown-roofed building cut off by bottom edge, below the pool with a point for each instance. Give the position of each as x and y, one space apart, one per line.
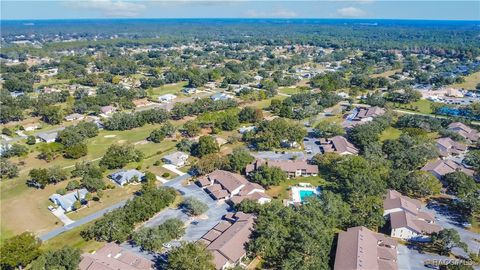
361 249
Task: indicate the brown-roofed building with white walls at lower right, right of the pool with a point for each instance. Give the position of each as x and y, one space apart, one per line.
407 221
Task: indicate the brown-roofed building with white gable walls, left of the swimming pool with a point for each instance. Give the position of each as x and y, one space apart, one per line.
223 185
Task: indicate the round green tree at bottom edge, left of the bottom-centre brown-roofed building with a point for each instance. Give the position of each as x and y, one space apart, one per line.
190 256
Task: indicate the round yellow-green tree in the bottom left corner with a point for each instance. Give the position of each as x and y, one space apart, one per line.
19 251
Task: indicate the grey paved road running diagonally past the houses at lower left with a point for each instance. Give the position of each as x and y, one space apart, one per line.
49 235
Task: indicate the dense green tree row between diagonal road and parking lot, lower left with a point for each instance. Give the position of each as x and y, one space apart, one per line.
119 224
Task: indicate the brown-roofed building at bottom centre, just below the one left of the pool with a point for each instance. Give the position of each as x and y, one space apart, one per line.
227 240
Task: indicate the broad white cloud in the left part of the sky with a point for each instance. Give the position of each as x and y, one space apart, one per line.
112 8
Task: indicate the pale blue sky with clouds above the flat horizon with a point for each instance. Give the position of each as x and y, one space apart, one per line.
380 9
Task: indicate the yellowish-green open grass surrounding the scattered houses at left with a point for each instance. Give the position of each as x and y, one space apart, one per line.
25 209
